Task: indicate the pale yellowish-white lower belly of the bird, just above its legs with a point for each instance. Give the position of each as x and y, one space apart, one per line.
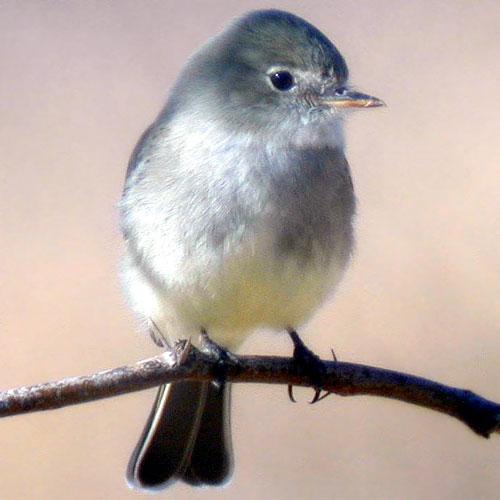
233 295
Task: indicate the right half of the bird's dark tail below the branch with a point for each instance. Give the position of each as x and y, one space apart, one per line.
211 460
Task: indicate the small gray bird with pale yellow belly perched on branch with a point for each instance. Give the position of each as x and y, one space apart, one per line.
237 214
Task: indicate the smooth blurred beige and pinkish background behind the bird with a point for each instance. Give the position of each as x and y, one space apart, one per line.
80 80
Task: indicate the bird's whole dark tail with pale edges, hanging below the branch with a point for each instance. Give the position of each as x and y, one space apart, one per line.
187 437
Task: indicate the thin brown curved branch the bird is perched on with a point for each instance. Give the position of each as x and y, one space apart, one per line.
345 379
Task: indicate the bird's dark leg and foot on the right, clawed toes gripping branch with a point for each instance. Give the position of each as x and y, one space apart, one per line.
309 365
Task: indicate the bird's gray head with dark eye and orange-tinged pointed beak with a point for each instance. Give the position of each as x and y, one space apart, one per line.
270 70
